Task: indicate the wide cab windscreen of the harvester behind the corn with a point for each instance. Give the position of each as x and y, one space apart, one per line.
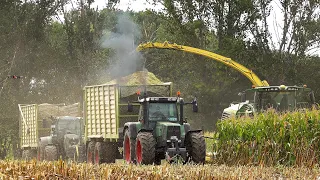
282 100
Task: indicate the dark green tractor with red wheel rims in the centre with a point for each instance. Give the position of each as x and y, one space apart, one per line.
162 133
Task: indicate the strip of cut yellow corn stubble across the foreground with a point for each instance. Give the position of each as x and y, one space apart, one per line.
62 170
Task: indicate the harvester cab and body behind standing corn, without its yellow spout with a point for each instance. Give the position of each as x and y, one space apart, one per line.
280 98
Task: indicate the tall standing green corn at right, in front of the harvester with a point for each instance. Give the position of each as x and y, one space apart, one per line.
269 139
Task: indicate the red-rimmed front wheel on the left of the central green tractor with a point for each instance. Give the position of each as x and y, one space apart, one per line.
145 148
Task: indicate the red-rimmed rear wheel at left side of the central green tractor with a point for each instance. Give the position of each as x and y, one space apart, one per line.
128 148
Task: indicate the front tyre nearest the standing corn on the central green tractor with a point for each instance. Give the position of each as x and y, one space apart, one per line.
196 147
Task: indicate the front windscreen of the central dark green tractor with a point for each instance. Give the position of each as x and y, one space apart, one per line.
163 112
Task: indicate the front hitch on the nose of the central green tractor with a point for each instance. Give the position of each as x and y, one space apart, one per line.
175 151
